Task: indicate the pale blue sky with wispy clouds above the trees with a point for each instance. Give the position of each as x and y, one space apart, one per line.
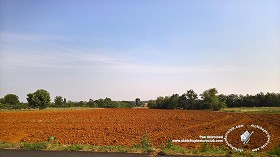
125 49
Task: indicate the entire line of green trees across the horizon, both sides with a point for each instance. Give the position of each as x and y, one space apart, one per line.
209 99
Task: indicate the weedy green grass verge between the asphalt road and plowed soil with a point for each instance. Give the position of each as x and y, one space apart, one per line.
168 149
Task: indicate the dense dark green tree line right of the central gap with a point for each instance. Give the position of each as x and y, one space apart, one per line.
210 100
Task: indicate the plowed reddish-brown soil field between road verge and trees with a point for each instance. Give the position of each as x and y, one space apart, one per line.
127 126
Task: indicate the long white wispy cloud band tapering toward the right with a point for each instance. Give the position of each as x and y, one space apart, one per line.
90 60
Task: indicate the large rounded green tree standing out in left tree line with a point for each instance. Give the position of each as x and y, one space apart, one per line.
39 99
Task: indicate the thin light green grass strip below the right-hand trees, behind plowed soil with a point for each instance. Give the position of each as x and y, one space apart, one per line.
258 110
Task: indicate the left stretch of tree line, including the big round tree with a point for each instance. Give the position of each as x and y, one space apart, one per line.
41 99
